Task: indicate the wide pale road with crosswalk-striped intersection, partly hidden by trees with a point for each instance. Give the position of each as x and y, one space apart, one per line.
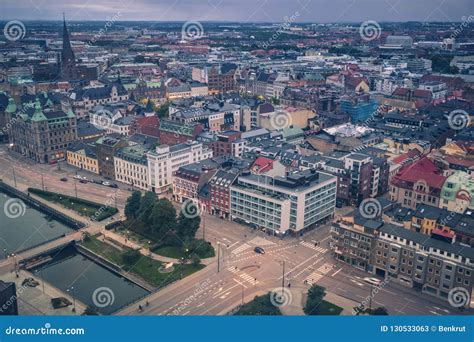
241 273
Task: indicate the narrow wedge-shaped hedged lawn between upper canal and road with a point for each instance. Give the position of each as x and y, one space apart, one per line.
93 210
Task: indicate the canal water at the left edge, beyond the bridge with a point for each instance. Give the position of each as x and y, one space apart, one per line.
23 227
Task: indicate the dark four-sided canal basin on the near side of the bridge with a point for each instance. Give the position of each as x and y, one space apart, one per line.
94 285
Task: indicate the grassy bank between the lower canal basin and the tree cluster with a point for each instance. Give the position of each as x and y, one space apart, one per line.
145 268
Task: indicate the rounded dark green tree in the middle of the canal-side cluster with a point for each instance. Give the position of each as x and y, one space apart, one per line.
163 219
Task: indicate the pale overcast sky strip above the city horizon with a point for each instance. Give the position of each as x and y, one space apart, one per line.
240 10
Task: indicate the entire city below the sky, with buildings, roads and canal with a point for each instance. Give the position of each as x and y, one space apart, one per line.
236 168
